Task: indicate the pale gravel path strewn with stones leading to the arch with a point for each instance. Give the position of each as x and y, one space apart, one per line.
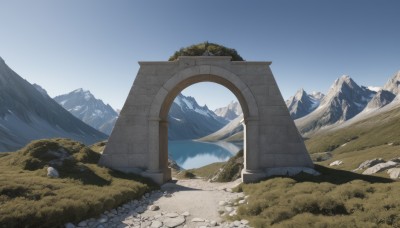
186 203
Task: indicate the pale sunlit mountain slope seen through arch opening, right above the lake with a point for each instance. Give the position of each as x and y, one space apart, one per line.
233 131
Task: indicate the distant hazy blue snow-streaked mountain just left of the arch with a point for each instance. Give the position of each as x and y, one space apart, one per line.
83 105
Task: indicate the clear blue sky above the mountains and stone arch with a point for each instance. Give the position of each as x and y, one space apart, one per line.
65 45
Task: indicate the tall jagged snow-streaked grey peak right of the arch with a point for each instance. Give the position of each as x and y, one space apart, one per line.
344 100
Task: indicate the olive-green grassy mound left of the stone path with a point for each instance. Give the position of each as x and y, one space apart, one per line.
28 198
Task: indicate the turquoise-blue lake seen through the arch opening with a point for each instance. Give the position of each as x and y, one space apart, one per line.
193 154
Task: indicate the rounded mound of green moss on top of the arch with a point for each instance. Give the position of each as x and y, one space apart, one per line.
206 48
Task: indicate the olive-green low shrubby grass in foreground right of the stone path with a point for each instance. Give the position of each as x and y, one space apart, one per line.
335 199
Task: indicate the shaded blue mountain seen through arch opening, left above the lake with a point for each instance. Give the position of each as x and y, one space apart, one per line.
187 120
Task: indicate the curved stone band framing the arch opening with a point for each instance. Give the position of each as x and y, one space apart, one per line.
166 95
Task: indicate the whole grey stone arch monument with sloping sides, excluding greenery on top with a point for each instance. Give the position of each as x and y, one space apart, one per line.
139 141
